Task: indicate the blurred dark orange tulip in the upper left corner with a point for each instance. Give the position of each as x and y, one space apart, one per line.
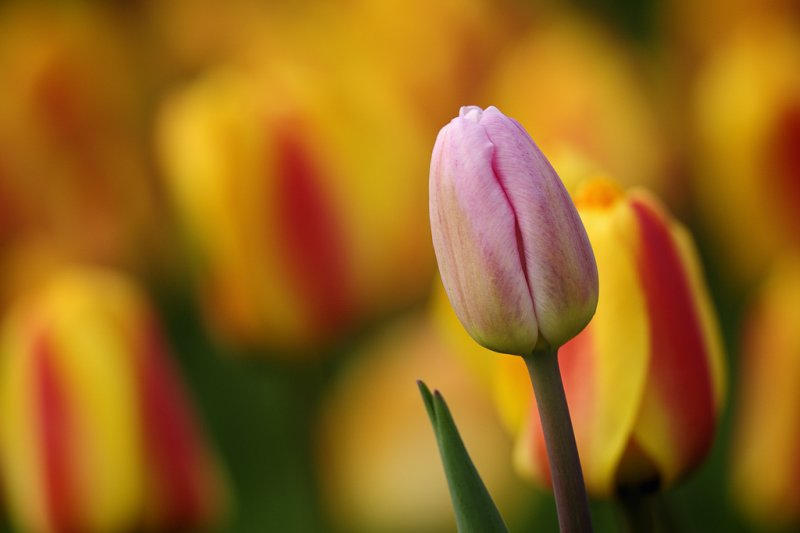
73 162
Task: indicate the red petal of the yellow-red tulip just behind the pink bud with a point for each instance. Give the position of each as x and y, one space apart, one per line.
675 425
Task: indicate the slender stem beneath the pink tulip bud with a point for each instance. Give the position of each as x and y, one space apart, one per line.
572 504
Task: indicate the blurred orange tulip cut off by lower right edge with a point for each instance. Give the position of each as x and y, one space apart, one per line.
766 443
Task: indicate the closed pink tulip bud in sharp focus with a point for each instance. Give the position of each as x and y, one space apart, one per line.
513 256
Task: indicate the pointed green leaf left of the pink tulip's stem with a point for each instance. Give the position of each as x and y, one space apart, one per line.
474 508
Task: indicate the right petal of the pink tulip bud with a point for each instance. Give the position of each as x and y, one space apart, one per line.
558 259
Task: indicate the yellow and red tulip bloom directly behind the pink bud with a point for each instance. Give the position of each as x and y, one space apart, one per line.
645 379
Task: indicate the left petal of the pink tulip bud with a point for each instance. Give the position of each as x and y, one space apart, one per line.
475 238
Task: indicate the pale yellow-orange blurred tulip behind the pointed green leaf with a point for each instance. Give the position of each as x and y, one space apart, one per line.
380 467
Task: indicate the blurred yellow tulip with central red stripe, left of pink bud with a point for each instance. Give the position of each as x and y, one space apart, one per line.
305 209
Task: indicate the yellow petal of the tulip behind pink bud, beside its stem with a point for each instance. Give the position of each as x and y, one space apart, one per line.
604 368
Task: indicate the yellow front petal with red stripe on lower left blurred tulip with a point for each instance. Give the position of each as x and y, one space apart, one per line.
82 460
